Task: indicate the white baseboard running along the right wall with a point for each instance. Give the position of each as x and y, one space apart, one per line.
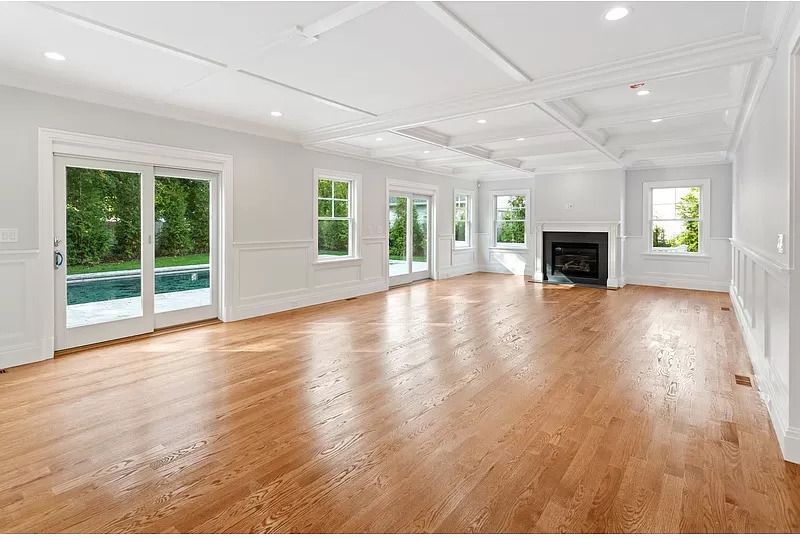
768 385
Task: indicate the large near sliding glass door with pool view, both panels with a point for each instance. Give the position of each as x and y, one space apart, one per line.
134 249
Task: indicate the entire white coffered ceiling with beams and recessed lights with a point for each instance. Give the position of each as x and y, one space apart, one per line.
480 90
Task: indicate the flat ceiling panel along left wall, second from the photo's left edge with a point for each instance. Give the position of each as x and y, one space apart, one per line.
255 100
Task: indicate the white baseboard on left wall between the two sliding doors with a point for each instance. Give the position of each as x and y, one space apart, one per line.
293 300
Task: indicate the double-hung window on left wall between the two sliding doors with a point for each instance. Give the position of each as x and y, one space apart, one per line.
335 217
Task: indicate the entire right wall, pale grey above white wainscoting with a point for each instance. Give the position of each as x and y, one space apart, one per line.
764 288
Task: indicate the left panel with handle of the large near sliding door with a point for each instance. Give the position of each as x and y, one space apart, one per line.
102 275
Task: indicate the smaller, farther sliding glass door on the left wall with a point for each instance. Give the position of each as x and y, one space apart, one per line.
409 237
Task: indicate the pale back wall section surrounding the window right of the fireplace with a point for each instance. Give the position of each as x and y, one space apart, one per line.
712 272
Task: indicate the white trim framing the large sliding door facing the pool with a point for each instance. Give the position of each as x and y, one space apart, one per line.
53 141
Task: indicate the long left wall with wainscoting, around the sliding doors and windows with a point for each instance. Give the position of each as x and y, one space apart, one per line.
272 218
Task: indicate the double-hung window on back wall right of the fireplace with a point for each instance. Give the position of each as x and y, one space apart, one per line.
675 213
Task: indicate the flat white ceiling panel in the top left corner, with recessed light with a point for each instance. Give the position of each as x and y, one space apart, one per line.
98 60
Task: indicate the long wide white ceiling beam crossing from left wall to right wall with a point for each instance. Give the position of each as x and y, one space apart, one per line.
681 61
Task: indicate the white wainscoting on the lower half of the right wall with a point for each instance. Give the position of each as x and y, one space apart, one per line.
759 292
